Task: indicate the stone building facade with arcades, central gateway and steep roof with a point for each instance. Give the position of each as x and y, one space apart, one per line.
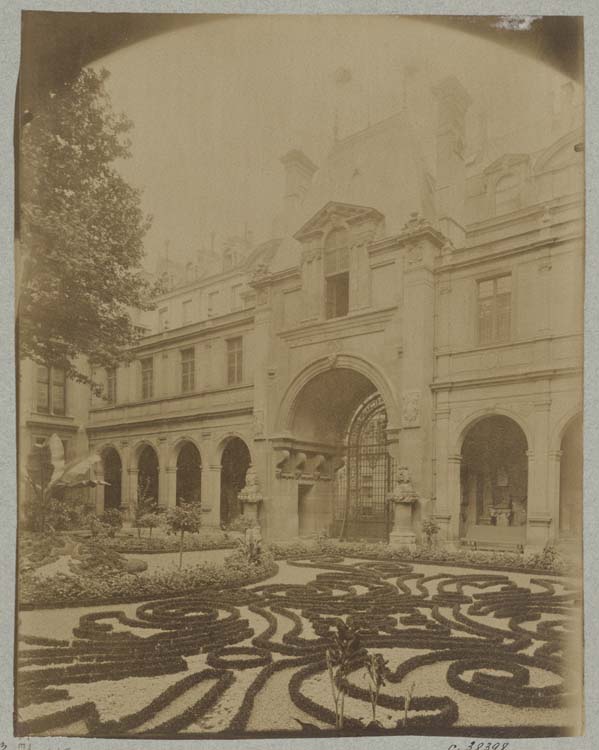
404 315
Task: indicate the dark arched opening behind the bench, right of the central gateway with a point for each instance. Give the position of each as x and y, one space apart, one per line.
494 481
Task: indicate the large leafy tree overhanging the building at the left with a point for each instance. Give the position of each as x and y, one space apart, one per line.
82 231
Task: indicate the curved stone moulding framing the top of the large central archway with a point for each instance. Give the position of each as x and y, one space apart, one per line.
323 364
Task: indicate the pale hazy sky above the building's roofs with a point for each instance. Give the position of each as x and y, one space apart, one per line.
216 105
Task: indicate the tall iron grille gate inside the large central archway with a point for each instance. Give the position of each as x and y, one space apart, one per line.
361 507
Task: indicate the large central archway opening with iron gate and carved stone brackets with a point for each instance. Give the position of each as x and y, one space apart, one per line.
340 418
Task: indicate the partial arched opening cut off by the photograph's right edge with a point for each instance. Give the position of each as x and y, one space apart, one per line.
570 489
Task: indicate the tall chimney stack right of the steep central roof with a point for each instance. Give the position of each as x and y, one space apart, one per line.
452 104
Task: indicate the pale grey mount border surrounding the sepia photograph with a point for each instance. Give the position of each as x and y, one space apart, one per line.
9 56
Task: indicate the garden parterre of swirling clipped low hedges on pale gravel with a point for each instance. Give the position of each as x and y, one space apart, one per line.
471 643
